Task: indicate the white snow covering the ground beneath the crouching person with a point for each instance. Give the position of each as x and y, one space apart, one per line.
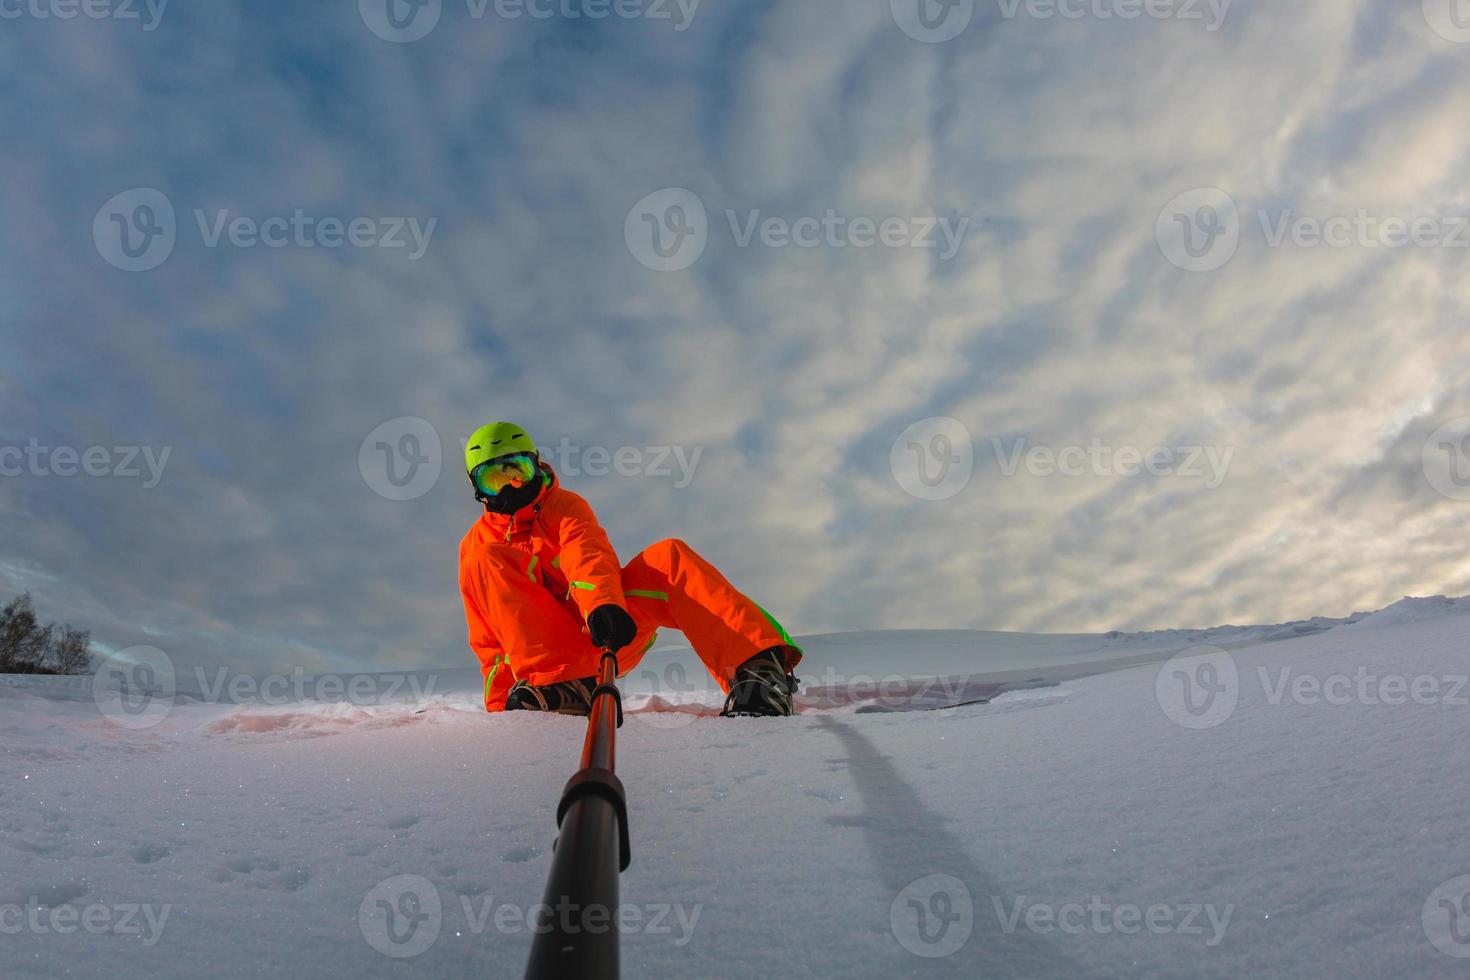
1309 822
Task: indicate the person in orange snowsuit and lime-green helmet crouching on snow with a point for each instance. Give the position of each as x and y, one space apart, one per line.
545 594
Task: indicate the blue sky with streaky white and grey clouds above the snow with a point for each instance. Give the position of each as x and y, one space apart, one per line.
1019 315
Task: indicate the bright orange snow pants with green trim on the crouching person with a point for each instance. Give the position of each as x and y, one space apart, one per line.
670 586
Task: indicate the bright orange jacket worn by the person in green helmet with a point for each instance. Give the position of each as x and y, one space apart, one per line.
567 550
